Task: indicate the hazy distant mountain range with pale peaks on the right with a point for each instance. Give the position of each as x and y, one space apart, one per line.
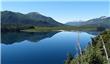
101 21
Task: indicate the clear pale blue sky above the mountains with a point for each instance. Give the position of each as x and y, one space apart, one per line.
61 11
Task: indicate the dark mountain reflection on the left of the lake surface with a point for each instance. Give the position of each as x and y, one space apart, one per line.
12 37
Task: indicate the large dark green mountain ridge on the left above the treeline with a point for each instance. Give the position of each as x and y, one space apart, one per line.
32 19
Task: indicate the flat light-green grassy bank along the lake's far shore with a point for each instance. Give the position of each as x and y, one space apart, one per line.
68 28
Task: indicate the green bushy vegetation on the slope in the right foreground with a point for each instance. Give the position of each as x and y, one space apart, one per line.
94 54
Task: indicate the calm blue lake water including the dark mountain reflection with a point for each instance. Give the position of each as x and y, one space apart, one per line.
41 47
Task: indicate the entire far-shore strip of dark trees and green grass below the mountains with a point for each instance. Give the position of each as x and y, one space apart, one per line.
30 28
